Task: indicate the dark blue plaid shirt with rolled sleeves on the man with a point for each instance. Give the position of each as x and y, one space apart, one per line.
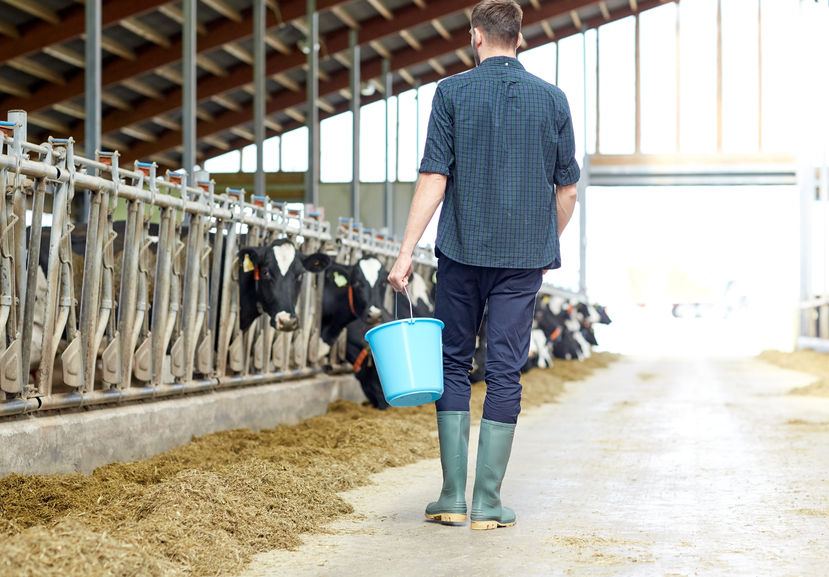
504 139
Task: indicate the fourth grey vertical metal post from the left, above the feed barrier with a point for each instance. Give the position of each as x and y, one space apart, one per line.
312 117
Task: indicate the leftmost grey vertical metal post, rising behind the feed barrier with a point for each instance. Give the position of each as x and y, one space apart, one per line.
92 85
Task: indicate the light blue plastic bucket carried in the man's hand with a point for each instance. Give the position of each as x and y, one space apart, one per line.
408 354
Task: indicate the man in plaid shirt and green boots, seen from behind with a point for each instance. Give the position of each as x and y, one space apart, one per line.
500 156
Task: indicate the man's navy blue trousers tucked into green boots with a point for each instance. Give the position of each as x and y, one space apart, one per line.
462 293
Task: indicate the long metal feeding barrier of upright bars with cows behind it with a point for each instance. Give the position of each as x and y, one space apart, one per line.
151 307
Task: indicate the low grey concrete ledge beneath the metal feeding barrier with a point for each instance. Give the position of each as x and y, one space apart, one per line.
83 441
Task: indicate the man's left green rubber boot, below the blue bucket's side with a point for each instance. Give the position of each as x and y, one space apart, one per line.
453 434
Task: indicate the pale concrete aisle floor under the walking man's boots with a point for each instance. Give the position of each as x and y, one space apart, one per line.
650 468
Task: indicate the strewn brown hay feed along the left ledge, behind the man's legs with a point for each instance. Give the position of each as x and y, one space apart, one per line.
205 508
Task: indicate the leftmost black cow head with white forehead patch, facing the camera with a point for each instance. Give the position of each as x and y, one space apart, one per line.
269 282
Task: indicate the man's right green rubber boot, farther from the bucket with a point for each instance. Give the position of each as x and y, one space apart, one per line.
494 446
